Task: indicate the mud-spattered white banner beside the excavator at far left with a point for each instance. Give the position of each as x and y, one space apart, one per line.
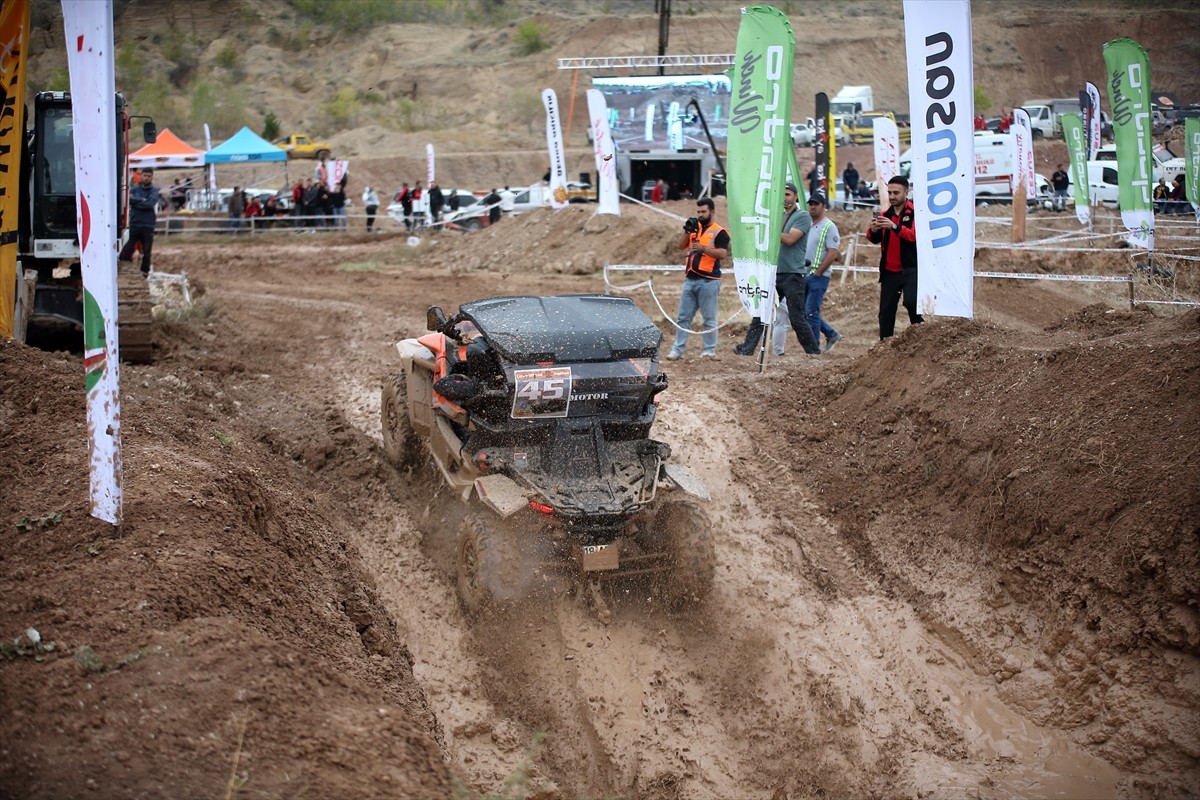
88 26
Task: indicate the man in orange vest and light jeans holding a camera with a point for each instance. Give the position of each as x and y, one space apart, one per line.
707 244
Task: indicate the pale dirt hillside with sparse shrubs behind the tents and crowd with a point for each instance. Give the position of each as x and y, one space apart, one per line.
458 77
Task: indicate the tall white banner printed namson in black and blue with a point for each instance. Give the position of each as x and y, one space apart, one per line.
941 91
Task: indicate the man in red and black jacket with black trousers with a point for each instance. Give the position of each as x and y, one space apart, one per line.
897 237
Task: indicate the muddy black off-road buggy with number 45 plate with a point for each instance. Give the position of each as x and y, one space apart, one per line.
537 412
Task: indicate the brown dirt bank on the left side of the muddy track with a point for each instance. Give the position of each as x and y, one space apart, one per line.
229 621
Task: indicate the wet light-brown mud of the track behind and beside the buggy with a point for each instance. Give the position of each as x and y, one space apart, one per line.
797 672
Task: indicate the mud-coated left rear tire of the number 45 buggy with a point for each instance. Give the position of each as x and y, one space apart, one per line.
495 569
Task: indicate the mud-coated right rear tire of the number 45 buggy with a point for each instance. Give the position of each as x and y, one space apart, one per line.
683 532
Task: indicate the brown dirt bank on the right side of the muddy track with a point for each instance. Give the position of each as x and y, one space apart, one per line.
1040 495
